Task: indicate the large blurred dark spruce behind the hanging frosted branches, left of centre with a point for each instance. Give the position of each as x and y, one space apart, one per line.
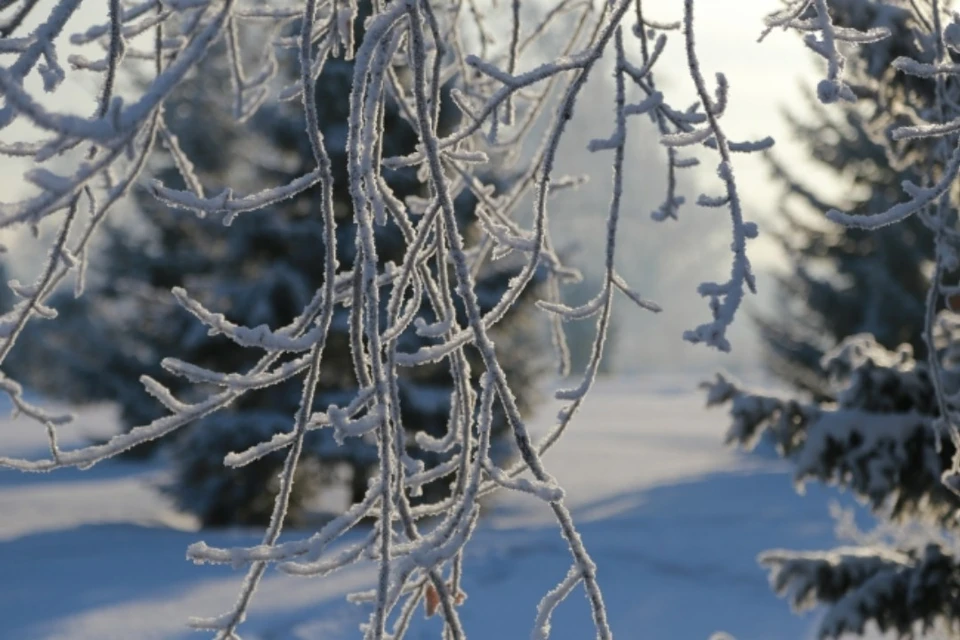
261 269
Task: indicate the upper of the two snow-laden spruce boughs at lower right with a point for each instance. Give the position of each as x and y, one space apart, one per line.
878 440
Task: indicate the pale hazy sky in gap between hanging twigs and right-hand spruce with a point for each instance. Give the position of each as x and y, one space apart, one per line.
667 260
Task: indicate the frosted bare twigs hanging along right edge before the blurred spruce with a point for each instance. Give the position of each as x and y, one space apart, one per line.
932 123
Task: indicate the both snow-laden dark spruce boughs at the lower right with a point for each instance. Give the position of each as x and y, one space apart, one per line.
878 441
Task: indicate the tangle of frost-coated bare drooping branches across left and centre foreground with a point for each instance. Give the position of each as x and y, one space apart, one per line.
411 57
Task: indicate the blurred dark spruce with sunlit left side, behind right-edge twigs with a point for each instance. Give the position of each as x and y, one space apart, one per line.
842 281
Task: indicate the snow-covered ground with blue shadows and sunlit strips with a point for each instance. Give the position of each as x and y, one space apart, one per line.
674 522
